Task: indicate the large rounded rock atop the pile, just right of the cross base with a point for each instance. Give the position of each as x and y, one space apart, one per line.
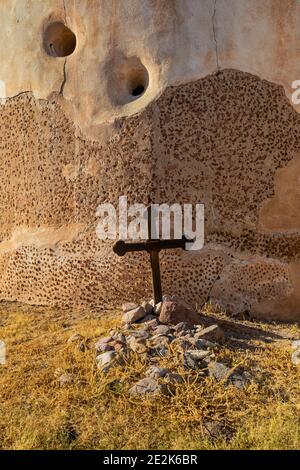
175 310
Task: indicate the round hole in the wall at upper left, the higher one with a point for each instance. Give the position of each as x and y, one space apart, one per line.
59 40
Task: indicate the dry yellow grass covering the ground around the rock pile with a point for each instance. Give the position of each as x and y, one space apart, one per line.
95 412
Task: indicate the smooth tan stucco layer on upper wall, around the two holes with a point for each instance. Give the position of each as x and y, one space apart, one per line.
177 42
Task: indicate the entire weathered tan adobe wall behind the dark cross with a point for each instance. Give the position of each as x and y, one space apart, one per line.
215 125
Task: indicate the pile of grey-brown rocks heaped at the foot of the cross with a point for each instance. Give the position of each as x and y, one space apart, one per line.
173 330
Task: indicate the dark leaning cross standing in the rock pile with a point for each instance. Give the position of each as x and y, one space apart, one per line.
153 247
